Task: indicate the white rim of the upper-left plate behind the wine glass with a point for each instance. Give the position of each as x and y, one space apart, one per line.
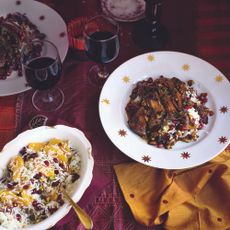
48 22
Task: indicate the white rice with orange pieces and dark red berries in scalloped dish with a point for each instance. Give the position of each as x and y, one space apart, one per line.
30 189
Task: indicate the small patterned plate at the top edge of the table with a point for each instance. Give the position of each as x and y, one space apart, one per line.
124 10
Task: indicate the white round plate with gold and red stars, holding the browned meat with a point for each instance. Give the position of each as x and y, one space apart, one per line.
115 93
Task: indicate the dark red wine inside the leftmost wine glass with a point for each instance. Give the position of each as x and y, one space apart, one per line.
43 73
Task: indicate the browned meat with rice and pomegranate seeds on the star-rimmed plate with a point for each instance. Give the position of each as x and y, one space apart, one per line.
164 111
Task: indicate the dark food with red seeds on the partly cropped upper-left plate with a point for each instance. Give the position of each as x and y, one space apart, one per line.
15 30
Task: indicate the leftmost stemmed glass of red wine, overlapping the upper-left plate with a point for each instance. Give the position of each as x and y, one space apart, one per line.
42 68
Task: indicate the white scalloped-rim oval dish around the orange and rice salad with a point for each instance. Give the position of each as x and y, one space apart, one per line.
44 133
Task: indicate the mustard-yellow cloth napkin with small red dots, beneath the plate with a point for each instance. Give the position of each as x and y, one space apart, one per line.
197 198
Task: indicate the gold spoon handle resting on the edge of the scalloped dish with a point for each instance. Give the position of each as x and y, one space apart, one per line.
82 215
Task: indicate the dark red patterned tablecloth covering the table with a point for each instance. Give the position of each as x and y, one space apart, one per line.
201 28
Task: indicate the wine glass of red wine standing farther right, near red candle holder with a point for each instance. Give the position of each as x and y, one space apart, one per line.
101 45
